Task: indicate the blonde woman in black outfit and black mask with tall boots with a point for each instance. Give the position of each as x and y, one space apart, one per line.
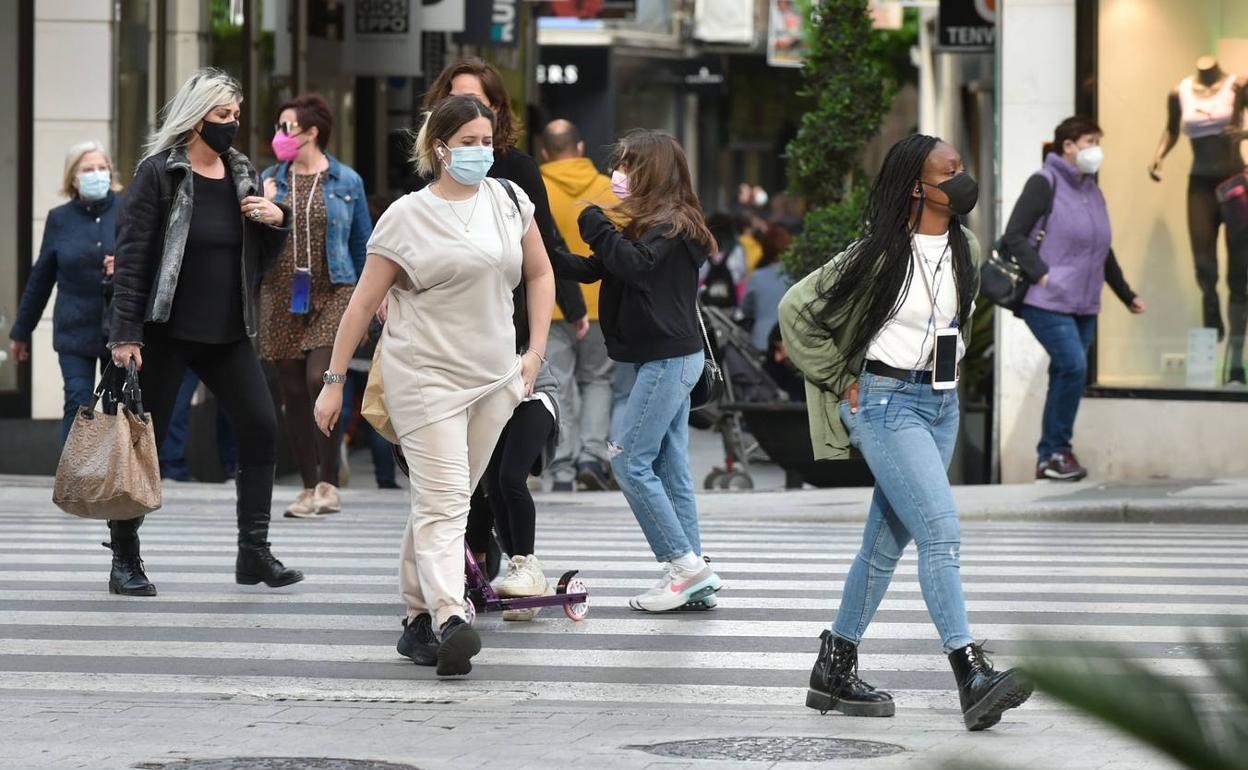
194 241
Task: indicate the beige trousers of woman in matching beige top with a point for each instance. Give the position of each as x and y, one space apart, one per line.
447 460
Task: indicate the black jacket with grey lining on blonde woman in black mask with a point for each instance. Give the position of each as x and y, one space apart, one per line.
152 239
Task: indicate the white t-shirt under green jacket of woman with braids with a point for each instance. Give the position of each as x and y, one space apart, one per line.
907 341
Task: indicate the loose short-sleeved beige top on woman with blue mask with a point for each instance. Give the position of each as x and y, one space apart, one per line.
450 339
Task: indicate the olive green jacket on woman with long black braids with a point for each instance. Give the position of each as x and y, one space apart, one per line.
817 355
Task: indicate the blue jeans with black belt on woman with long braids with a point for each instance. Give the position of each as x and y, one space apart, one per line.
907 432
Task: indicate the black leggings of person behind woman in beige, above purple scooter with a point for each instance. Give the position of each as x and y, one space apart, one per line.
504 497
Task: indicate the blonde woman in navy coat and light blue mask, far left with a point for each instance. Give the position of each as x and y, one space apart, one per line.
76 258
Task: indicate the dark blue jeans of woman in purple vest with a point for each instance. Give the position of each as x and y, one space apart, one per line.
1068 340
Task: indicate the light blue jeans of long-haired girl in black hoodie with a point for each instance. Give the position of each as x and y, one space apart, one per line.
652 466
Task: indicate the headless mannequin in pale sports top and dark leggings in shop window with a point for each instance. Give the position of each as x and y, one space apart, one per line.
1210 108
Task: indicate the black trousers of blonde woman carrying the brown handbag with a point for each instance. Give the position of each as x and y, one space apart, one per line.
234 375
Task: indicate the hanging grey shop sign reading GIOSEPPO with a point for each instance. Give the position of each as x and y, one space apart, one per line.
381 38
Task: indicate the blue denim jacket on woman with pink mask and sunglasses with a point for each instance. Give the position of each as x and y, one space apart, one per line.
346 209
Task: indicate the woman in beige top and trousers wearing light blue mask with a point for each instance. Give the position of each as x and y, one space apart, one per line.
447 260
